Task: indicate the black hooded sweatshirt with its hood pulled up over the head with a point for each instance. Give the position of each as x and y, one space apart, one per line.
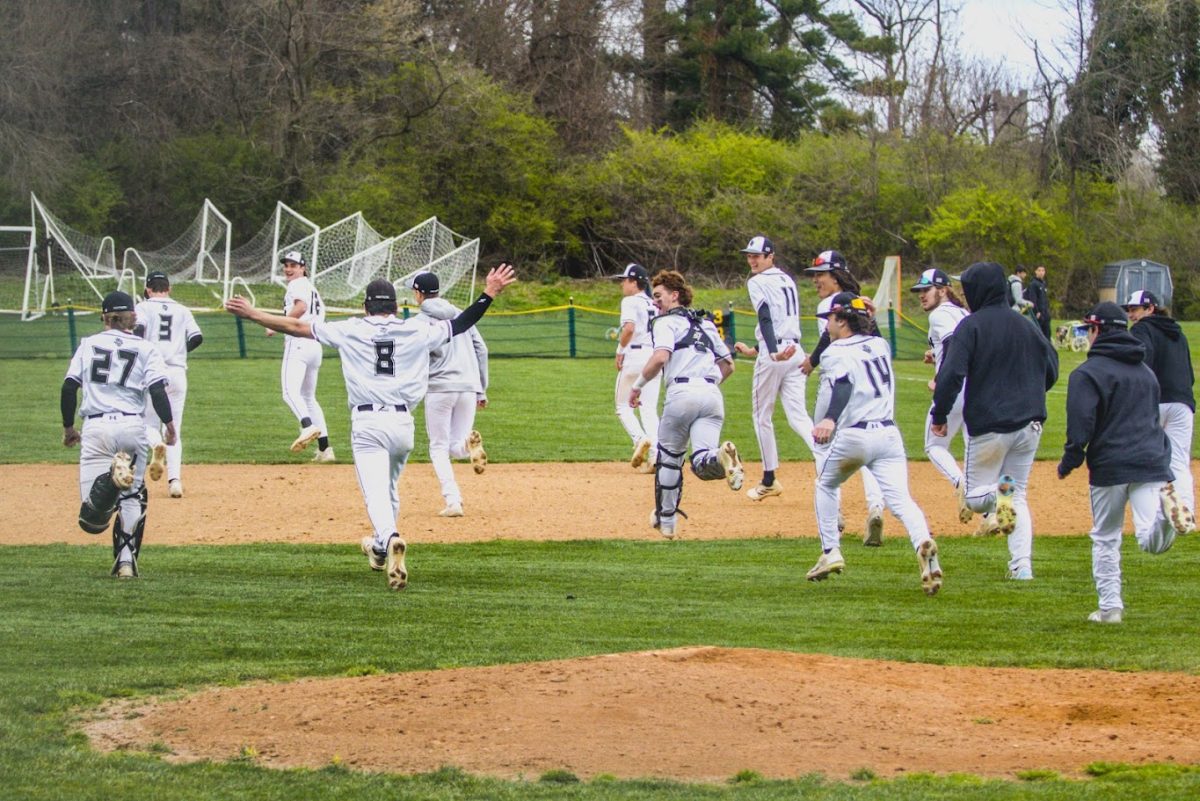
1003 357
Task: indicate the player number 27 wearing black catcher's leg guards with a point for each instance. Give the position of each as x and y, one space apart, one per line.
117 371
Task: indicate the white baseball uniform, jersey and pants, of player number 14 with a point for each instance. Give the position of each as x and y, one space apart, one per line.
866 436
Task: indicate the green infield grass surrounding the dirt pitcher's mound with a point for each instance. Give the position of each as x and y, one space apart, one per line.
206 616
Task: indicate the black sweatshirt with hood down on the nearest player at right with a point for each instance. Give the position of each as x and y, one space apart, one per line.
1113 415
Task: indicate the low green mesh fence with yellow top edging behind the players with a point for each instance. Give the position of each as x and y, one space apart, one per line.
555 333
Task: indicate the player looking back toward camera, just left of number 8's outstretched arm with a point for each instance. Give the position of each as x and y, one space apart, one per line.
302 359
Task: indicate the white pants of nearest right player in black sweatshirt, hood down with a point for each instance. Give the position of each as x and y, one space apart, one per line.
1151 528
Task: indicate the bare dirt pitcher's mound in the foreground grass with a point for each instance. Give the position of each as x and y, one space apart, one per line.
698 714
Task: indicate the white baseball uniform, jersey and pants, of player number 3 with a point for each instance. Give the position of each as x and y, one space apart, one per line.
169 327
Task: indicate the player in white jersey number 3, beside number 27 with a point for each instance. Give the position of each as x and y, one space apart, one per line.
172 329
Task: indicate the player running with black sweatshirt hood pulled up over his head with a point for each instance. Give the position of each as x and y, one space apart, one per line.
1007 366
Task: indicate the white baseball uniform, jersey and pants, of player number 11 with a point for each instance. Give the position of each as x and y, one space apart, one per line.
773 294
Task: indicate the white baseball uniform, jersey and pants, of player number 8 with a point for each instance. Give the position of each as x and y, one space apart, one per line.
386 363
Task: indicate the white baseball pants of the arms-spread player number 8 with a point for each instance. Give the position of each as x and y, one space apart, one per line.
381 441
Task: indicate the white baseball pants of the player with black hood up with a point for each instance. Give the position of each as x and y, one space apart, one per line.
988 459
